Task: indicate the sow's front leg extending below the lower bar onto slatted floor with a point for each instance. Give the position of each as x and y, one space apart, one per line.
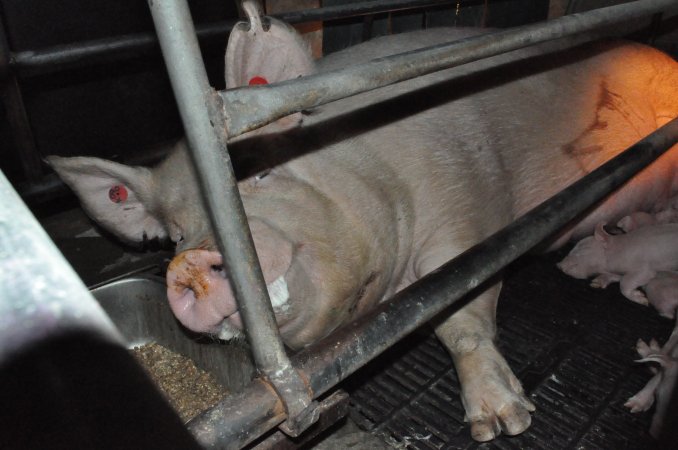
492 395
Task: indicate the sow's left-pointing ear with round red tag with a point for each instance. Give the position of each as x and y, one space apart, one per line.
118 197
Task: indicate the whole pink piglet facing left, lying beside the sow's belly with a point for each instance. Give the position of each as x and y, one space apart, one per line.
632 259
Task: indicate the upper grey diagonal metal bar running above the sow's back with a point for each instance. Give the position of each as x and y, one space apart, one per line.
249 108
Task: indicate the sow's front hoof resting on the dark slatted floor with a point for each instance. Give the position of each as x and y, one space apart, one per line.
493 397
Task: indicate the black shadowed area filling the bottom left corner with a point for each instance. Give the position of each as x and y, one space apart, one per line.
78 391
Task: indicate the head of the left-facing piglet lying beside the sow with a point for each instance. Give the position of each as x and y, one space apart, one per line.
588 257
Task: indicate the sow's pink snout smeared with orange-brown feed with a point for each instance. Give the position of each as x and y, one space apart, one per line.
199 294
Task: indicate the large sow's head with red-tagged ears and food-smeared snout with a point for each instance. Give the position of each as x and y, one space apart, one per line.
316 277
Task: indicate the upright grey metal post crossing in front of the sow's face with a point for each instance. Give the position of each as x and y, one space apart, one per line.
219 188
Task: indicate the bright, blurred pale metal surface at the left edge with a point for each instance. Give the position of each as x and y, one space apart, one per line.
41 296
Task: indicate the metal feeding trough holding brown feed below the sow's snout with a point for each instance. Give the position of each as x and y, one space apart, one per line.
138 307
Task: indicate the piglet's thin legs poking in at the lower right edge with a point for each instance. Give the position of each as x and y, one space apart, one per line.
661 385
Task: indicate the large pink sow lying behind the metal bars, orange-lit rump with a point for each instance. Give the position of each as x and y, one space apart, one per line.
379 192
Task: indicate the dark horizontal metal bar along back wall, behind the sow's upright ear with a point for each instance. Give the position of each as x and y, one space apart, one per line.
57 58
